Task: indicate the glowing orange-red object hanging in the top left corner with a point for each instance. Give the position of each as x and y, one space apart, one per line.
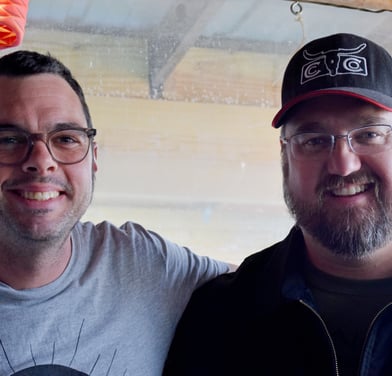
13 16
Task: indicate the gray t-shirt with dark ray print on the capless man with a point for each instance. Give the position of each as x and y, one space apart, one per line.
112 312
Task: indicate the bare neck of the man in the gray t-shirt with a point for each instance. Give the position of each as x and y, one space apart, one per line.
21 269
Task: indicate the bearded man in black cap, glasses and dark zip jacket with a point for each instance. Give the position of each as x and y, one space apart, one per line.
318 302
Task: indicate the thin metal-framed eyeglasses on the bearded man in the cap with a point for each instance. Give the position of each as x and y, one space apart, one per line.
369 139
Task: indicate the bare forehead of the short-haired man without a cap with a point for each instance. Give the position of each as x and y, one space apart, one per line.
37 99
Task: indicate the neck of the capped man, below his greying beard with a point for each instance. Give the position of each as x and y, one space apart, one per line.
377 265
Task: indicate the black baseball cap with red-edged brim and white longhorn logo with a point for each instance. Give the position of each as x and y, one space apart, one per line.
339 64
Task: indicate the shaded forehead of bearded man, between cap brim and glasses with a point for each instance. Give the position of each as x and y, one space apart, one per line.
334 112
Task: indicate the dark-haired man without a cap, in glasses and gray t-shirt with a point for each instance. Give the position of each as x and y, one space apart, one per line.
75 298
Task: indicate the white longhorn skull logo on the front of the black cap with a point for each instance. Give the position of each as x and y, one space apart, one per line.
333 63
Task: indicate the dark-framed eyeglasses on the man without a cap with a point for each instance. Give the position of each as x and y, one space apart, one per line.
65 145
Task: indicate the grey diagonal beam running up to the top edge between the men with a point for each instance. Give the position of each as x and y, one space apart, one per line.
179 31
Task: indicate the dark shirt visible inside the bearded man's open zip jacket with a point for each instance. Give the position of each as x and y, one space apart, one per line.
348 308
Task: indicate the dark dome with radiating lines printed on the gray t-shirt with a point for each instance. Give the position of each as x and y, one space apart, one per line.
53 369
